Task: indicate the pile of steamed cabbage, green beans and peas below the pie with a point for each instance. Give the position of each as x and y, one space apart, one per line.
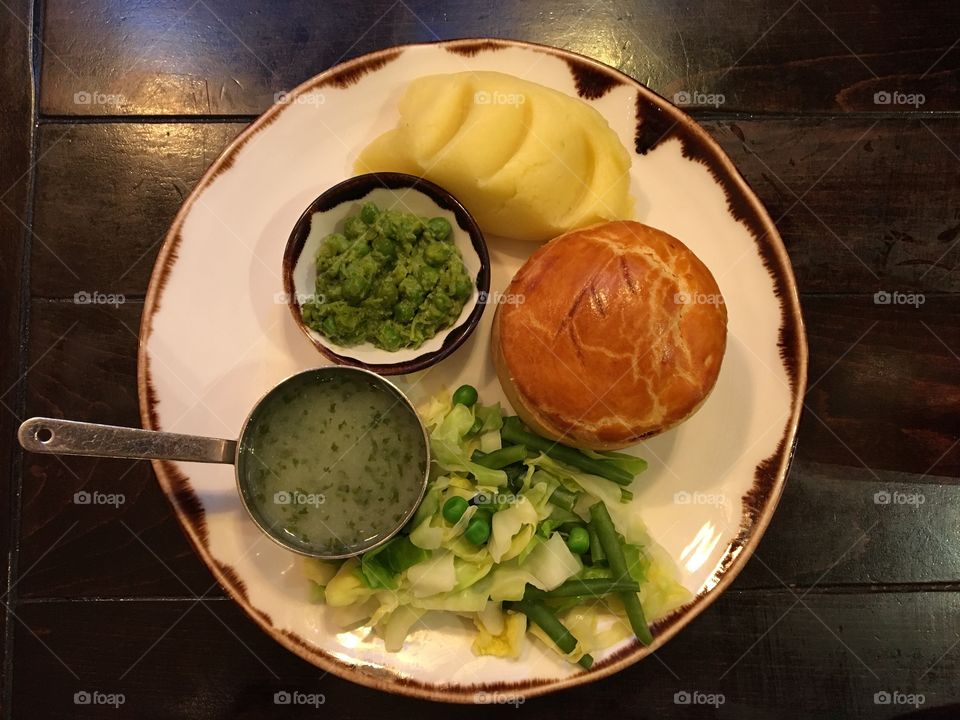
508 531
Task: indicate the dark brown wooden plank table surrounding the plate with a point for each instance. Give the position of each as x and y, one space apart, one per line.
845 118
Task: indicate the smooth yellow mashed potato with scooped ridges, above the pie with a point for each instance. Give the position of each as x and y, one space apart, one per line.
529 162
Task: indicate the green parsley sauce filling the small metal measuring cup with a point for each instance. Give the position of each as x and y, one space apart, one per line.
332 464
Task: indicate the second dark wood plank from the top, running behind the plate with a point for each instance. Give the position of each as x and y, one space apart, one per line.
106 194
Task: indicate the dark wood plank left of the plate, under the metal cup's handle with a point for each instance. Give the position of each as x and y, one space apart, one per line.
83 367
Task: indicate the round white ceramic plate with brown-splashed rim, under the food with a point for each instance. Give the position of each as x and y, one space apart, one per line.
214 338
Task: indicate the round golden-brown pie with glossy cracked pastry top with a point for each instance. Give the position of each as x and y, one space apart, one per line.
619 335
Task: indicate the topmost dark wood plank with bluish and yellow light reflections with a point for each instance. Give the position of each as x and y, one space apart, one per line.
233 57
